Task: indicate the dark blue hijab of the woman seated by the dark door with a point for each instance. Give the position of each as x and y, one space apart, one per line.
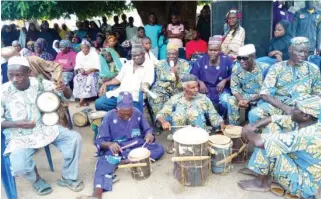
282 43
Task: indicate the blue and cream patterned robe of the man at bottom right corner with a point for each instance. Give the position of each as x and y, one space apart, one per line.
292 156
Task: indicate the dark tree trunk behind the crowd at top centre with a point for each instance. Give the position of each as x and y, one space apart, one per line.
163 10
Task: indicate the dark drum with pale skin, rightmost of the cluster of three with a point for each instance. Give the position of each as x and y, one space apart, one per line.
234 132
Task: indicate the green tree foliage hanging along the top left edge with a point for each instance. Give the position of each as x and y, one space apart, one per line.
12 10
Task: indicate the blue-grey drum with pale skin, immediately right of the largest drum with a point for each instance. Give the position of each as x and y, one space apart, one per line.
221 148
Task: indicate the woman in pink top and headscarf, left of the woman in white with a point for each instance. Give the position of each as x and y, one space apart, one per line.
67 58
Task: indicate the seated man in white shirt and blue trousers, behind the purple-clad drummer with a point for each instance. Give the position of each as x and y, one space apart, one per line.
133 76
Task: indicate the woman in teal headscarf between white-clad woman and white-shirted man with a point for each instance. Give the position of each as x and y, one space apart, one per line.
110 65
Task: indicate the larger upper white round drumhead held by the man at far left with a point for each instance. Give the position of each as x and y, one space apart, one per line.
48 102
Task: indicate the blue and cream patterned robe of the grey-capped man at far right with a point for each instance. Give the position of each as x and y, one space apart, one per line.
287 83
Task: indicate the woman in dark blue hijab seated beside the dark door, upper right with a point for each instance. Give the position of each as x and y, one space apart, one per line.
279 45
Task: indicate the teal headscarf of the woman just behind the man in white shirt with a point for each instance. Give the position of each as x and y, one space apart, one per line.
104 66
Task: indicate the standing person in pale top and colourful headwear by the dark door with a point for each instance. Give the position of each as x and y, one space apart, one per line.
234 34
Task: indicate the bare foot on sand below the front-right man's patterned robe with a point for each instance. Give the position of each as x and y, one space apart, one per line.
254 185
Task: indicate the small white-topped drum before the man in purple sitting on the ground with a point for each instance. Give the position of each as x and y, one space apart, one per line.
141 157
